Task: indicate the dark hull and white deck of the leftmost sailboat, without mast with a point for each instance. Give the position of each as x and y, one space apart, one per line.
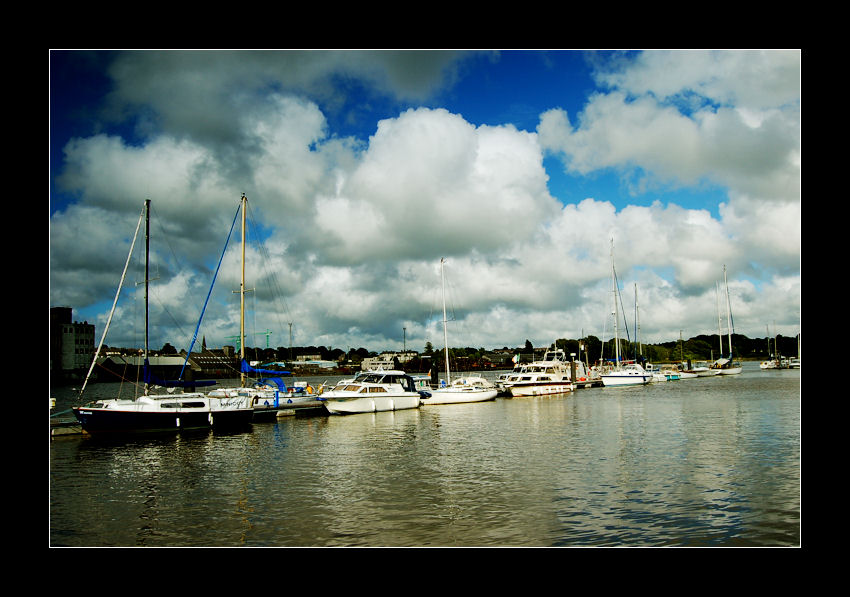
130 419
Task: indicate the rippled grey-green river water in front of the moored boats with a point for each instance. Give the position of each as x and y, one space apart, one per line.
702 462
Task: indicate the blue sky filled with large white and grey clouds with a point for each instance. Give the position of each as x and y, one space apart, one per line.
528 172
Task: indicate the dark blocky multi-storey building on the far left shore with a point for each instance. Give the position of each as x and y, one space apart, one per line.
71 344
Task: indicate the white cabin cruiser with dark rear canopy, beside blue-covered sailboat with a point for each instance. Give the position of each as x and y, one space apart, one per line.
373 391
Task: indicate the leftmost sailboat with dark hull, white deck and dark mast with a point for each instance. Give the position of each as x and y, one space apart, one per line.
157 412
